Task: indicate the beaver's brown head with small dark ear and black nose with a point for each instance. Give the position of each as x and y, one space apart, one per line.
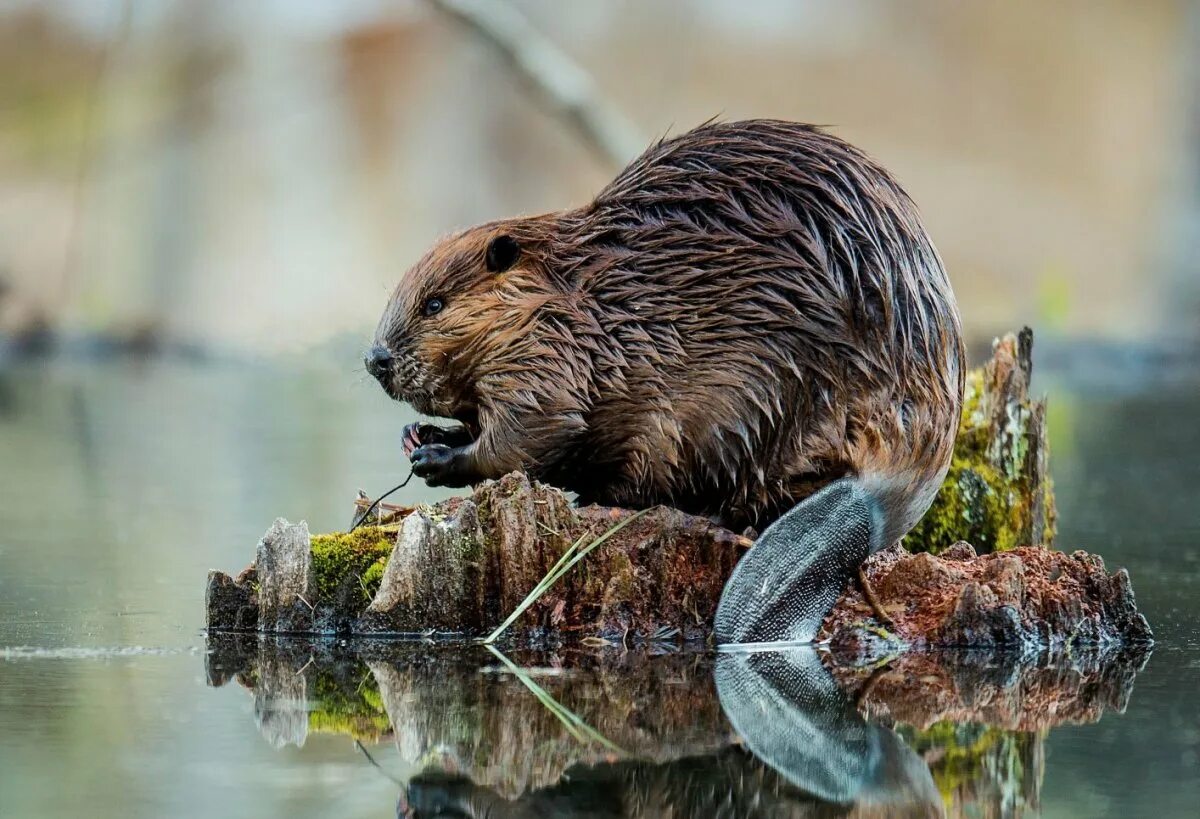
460 316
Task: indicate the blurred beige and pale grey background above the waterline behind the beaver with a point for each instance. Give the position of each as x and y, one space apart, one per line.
254 177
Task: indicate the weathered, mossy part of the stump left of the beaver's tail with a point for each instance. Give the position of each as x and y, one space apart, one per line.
461 566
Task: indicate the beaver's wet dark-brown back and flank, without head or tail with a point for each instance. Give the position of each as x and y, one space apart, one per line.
775 318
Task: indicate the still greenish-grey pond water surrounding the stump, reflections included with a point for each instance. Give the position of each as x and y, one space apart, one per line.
123 483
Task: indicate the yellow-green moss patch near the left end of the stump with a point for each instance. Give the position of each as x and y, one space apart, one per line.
351 563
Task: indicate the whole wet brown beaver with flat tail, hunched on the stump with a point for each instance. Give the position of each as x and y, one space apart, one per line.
751 322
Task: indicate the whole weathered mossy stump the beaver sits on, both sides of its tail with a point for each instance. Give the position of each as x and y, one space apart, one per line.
463 566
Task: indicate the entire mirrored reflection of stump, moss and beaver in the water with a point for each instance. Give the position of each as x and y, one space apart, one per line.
631 734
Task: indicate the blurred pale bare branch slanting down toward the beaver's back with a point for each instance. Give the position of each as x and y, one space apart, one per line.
561 86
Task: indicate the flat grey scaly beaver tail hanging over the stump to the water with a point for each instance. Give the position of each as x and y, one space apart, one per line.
784 587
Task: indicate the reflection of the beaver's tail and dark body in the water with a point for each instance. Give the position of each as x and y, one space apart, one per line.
808 754
